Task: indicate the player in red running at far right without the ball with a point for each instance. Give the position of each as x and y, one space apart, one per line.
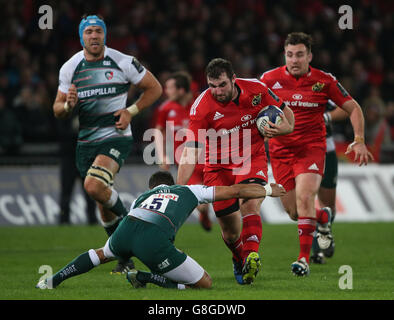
297 159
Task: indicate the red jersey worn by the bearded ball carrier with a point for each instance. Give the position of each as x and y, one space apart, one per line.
229 129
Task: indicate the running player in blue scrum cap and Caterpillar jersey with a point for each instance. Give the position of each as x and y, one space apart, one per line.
96 80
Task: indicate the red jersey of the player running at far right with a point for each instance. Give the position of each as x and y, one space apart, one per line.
307 97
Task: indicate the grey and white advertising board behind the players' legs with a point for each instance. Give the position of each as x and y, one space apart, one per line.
30 195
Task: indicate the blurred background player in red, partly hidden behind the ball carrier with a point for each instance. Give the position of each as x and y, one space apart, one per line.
172 118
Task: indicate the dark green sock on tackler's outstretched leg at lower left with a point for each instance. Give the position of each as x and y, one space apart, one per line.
79 265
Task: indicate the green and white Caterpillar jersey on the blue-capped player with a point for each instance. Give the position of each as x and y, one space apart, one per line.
102 88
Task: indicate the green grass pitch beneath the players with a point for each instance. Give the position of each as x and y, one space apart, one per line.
368 248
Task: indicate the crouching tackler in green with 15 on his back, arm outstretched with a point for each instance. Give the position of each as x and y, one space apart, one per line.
148 233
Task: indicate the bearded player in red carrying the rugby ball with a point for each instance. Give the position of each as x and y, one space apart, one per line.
222 121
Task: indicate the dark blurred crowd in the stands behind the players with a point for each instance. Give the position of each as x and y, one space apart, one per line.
167 36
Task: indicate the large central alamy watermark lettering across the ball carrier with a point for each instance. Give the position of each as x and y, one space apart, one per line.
224 146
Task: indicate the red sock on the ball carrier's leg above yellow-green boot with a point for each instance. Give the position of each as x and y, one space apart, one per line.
252 230
